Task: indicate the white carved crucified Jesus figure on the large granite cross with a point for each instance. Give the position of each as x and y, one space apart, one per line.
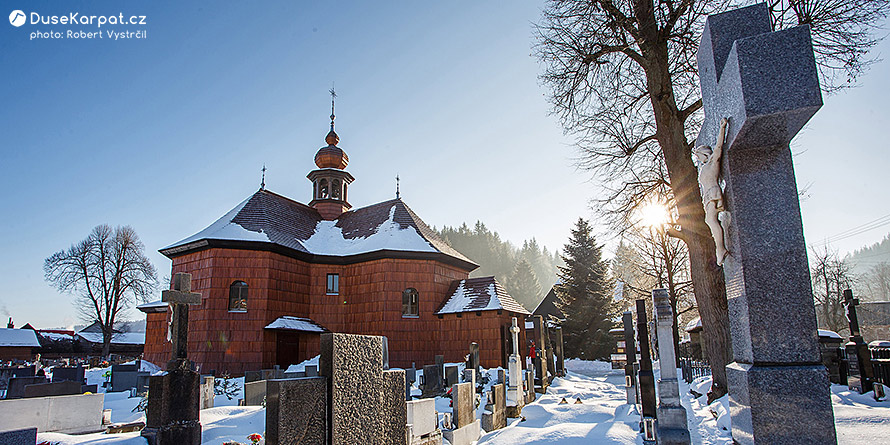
716 215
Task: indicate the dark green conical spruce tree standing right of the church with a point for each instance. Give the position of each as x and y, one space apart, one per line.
583 296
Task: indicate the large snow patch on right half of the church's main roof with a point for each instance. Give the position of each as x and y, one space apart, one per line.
328 239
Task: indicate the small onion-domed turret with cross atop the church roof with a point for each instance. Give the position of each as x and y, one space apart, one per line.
330 181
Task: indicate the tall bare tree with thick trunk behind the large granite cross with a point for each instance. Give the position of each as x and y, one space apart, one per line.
623 80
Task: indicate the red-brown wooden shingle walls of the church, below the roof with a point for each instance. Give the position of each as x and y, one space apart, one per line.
369 302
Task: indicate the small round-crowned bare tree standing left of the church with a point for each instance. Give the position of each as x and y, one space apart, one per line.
108 271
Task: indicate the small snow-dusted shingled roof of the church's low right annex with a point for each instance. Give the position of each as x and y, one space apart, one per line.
479 294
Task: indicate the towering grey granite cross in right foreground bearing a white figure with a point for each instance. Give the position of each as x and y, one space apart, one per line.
766 84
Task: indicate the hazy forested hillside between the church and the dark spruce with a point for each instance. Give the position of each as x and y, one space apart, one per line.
527 271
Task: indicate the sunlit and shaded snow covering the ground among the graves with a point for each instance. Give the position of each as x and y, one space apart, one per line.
603 417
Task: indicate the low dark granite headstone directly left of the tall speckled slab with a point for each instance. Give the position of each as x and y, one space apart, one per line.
296 411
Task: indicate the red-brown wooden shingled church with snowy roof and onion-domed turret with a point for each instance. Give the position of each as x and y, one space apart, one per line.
275 273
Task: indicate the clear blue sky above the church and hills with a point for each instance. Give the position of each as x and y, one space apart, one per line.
169 132
